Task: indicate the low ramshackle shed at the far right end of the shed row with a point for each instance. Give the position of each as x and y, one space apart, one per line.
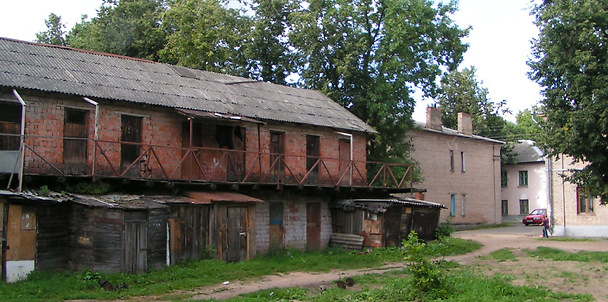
385 221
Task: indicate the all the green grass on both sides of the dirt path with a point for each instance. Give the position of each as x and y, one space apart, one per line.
458 283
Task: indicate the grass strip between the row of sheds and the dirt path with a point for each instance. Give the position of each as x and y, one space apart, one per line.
44 286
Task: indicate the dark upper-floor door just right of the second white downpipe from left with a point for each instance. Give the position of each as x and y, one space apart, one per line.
131 130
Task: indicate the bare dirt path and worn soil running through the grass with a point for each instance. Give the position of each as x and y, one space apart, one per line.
562 276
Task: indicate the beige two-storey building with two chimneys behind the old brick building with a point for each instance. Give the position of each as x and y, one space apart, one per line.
459 170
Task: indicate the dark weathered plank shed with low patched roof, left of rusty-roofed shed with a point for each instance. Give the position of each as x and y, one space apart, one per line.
118 233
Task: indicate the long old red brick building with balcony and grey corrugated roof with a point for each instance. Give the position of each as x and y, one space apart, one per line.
259 162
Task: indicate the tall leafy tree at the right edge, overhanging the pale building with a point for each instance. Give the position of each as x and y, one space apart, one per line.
570 62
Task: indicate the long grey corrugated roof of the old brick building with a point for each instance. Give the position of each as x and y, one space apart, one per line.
95 75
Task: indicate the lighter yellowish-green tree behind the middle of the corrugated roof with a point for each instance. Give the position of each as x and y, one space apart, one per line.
204 34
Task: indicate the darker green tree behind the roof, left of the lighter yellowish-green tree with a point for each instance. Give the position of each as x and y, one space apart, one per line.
124 27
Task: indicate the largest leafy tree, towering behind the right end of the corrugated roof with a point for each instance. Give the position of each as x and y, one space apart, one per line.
369 55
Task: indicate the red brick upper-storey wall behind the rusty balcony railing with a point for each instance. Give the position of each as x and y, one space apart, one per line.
162 129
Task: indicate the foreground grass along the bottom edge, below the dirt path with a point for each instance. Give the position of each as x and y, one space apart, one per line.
464 286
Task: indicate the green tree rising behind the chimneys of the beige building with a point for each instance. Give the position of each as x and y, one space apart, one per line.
460 91
